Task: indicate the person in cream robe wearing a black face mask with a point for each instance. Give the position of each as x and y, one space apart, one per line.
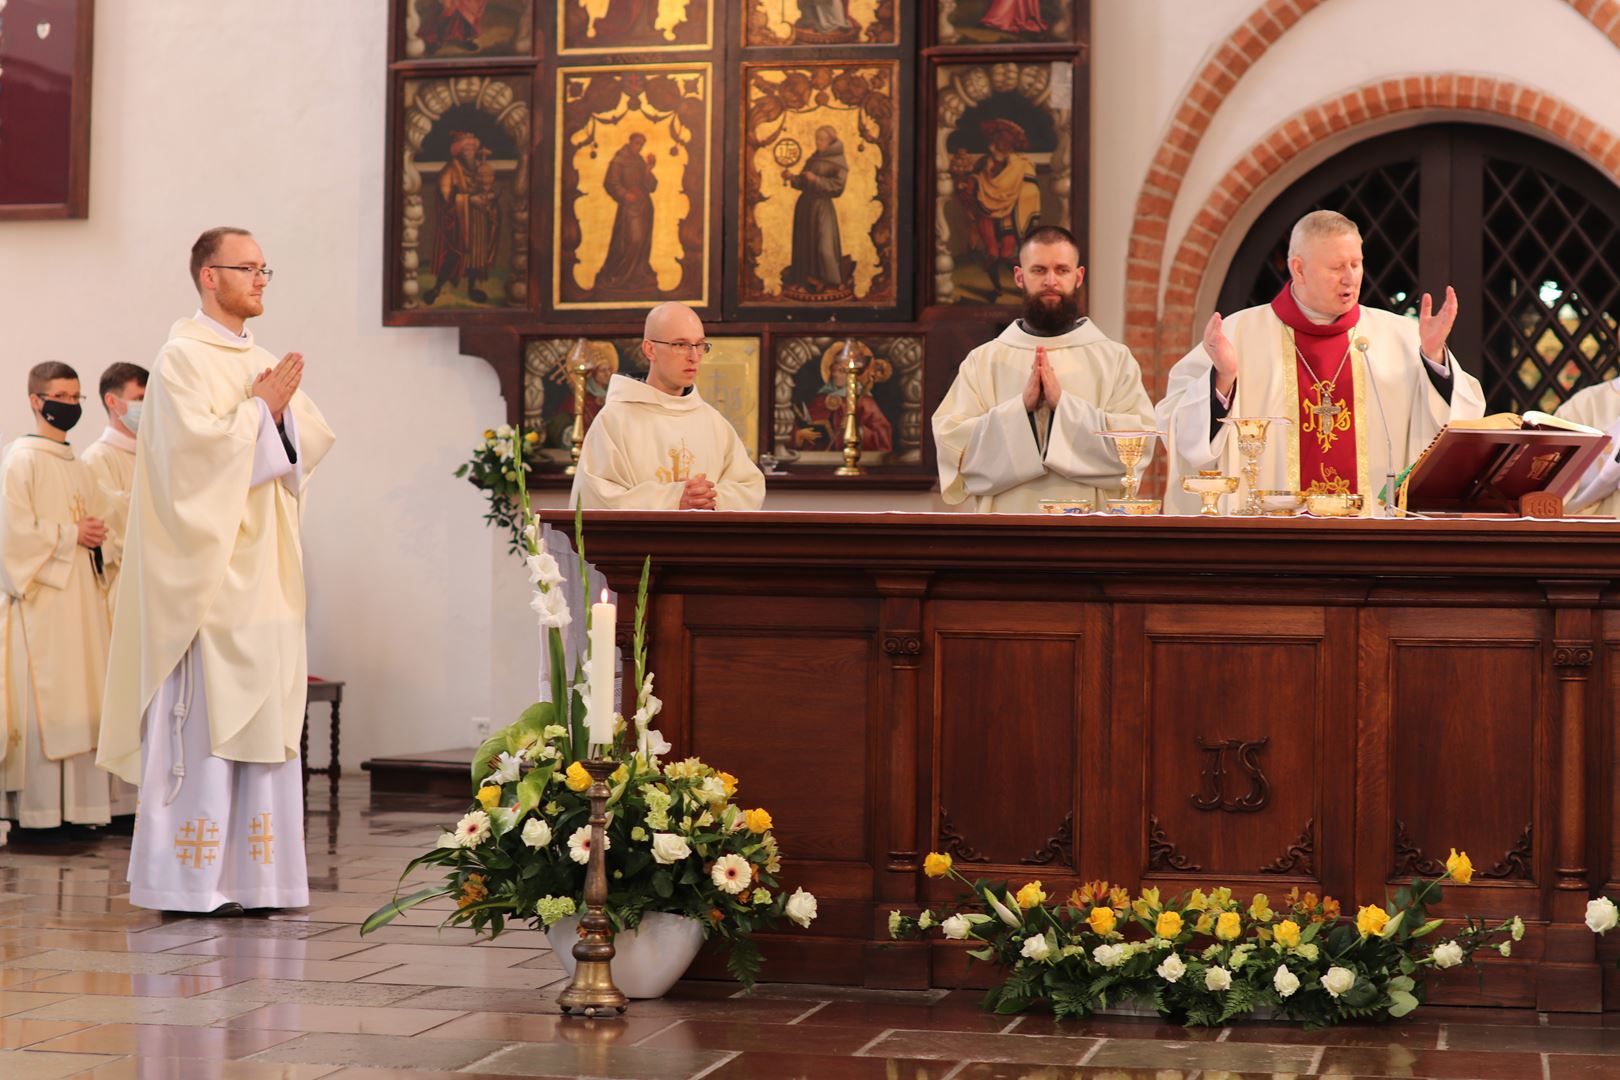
53 521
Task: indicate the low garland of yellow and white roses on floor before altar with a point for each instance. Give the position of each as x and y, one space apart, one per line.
1204 959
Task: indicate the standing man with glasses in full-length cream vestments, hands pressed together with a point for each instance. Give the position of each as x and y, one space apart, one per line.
208 674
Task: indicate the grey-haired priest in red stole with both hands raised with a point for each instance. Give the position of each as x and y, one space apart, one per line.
1366 389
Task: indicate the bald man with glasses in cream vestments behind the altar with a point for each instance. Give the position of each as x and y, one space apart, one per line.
657 444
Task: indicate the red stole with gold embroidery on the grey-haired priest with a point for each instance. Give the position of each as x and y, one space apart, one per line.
1326 420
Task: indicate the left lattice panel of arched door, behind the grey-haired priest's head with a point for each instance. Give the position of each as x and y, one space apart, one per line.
1384 205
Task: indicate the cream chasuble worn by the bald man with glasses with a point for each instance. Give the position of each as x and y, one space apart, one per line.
646 444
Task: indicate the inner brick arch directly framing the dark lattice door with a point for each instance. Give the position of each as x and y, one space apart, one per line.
1366 106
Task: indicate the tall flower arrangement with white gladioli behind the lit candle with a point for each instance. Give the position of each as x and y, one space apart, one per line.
676 840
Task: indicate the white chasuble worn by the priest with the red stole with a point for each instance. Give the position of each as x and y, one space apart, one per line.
1396 406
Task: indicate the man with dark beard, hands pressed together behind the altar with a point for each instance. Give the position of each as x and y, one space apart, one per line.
1021 420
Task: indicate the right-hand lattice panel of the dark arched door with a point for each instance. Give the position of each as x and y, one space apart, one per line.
1551 289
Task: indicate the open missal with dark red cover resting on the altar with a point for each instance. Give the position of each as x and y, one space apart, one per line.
1501 464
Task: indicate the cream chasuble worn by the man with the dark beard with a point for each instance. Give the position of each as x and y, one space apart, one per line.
1002 459
